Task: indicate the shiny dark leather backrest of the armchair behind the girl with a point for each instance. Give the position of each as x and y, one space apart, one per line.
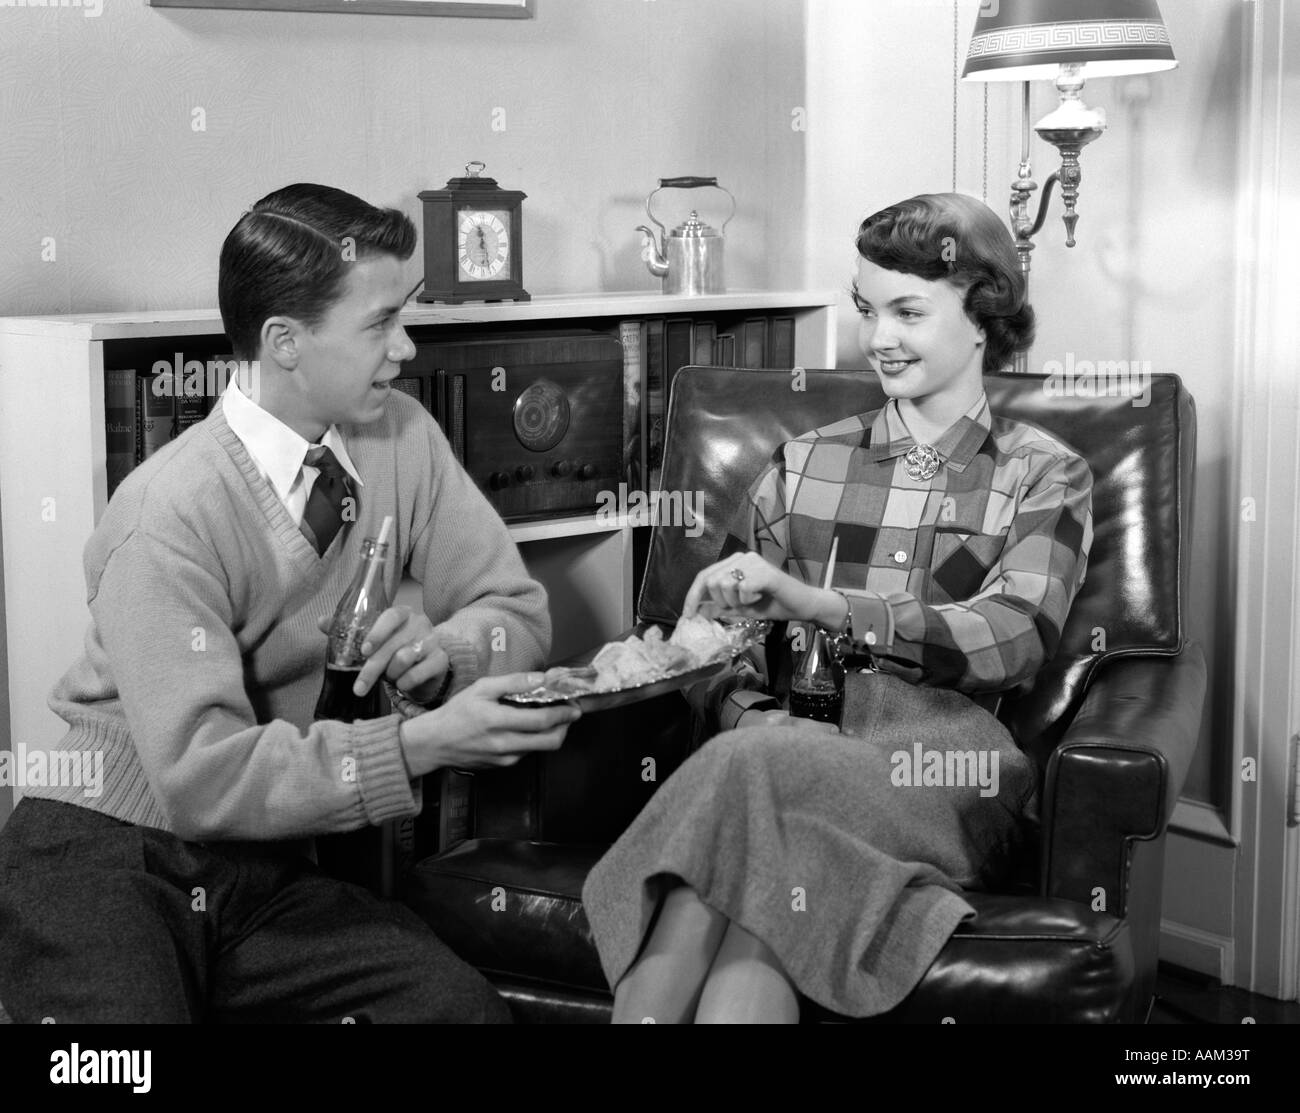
726 423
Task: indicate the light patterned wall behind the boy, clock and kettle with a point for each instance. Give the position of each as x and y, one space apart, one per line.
599 98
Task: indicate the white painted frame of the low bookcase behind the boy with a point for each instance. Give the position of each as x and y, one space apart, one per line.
54 483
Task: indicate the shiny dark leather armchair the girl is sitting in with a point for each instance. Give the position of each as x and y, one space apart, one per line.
1112 722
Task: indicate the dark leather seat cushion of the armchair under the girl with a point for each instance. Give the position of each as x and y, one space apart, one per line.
514 910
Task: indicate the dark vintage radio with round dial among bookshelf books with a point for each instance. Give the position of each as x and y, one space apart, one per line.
536 418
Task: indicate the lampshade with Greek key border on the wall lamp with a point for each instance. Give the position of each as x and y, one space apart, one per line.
1030 40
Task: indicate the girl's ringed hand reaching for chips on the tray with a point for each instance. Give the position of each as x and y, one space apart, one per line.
747 586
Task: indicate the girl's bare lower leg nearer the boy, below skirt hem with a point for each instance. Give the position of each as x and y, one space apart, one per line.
666 981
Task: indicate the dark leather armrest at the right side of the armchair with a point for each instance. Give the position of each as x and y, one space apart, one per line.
1119 772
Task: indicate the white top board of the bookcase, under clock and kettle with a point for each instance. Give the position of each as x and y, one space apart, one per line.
551 308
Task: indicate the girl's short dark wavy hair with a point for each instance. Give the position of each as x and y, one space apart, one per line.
960 240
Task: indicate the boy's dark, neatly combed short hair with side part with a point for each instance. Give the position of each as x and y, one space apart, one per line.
289 255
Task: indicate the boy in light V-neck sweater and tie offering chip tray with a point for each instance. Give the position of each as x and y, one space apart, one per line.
185 891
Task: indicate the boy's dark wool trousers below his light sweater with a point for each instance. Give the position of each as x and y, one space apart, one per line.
102 921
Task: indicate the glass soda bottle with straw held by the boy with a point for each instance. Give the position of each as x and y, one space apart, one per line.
362 604
